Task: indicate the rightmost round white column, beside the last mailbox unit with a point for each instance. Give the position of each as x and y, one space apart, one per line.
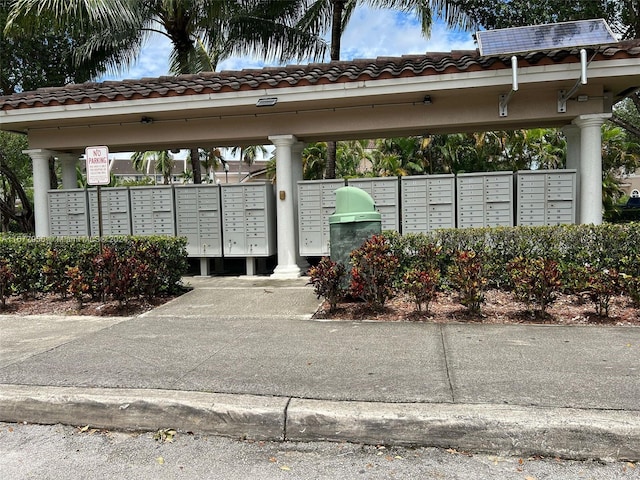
591 167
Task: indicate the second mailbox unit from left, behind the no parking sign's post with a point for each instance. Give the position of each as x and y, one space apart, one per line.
116 211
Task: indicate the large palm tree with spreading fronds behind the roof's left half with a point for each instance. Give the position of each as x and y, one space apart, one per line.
201 33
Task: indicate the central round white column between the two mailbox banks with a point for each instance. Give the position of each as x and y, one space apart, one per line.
285 198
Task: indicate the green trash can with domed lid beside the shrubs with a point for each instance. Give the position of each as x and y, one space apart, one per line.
354 222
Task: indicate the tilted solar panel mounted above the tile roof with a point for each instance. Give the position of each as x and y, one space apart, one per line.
553 36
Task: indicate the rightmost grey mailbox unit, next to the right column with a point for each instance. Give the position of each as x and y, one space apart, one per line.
546 197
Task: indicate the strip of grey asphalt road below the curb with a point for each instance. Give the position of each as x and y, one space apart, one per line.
63 452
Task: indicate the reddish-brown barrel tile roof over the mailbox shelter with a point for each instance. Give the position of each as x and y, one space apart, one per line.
300 75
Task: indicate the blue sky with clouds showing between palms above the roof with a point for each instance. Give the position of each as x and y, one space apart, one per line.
371 33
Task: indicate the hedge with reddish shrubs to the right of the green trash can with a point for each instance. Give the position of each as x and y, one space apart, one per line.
596 262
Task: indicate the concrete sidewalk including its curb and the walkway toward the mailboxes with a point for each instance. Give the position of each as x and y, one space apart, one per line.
242 357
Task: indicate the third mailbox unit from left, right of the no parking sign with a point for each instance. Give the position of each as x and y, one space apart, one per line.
153 210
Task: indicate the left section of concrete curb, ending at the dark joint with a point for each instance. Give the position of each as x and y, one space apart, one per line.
240 416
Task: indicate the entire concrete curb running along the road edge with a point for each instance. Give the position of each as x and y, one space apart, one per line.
508 430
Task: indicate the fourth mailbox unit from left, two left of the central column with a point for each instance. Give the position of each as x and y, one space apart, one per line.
198 219
